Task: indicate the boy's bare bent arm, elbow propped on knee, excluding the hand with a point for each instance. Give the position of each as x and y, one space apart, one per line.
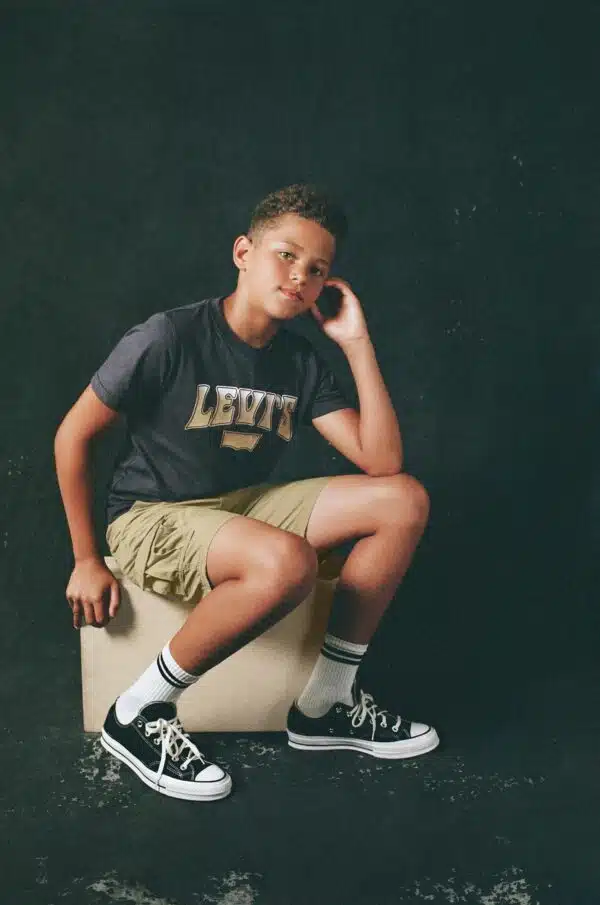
370 438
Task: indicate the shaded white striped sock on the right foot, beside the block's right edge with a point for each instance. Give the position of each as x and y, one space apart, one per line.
332 678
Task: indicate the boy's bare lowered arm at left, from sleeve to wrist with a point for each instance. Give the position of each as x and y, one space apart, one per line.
88 417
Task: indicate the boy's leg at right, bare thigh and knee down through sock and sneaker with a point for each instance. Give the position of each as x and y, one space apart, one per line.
387 516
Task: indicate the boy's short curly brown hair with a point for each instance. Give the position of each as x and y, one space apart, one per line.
308 201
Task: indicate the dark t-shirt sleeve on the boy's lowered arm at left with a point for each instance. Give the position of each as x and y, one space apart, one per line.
130 379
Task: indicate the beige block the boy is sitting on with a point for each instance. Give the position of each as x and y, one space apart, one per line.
250 691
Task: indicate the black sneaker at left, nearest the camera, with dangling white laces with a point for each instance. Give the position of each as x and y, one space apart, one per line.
157 748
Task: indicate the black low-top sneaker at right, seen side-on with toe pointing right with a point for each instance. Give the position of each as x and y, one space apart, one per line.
361 726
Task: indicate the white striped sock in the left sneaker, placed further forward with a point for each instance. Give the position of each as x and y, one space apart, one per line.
164 680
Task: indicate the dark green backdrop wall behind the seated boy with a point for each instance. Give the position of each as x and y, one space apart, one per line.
463 140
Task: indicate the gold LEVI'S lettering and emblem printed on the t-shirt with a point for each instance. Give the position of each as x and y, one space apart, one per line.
242 407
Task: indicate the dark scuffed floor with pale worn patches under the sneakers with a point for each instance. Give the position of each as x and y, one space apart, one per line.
504 813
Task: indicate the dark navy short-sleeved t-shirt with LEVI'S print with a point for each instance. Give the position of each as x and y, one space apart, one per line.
206 413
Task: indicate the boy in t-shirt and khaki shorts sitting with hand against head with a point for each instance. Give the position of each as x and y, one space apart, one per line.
212 392
